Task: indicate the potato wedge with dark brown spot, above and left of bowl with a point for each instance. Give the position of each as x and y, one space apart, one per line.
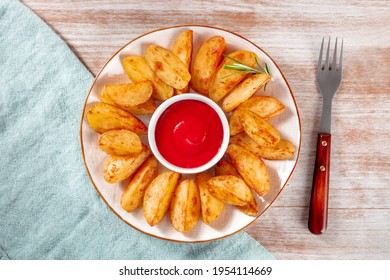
167 66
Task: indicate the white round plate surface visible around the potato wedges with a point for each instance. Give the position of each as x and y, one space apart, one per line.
231 220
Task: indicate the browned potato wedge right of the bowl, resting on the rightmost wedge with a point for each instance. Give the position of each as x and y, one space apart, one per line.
261 131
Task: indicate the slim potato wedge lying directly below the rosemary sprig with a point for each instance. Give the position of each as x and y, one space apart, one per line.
243 91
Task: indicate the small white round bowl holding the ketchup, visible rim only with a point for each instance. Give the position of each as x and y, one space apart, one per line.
163 107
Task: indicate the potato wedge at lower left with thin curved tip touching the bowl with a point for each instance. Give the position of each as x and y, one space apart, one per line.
119 168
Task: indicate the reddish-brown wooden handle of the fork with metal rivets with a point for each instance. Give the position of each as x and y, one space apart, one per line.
318 213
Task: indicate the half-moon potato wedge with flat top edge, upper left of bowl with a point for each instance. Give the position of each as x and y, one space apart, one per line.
129 94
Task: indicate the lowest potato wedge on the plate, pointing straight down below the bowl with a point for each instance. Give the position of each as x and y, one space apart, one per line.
185 206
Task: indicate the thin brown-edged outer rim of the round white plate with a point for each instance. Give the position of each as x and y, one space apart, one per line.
298 151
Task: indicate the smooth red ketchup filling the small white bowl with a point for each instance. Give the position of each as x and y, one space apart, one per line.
189 133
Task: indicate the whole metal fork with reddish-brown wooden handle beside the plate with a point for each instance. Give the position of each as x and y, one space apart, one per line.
328 81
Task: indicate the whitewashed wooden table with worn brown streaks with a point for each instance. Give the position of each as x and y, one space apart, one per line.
291 32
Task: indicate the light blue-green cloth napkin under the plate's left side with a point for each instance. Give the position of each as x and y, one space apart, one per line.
49 209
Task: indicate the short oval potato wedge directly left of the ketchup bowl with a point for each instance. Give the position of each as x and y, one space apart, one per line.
120 142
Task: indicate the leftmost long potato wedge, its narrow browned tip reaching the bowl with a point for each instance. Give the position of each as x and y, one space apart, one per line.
103 117
